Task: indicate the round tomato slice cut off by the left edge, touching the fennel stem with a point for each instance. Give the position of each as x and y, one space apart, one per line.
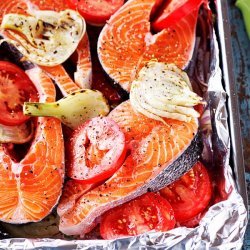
15 89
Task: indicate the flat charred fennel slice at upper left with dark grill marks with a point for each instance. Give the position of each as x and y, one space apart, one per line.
45 37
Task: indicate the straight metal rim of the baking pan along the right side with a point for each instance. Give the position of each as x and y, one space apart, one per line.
237 156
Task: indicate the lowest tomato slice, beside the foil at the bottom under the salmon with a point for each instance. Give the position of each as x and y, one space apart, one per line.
145 213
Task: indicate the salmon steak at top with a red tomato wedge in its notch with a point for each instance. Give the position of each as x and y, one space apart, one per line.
126 44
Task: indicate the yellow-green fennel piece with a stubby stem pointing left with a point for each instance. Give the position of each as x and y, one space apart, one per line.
73 110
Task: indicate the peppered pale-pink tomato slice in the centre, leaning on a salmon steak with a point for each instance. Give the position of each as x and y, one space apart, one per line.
97 150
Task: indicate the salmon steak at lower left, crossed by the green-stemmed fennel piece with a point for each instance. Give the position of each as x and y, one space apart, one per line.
30 188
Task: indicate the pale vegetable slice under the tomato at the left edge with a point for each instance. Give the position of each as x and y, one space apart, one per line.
16 134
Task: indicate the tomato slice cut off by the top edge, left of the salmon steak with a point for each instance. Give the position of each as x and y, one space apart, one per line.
96 12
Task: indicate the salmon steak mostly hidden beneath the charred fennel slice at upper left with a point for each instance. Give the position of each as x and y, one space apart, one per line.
83 74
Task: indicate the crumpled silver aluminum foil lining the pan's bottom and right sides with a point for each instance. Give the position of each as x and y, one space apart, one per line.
222 227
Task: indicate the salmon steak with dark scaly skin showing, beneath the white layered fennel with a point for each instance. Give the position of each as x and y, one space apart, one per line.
156 151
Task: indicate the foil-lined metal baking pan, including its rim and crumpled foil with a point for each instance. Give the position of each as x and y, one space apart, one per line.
224 225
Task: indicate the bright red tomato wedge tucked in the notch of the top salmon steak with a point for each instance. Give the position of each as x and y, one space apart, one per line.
173 11
